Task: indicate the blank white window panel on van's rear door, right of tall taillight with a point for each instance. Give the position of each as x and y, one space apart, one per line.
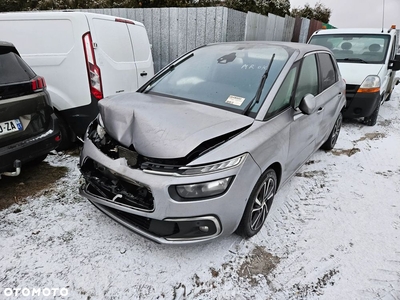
113 39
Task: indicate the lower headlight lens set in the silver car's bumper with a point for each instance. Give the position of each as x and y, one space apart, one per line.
204 189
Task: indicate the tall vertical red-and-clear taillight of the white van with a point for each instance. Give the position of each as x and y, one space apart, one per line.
93 70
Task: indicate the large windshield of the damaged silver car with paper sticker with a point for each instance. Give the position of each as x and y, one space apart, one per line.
225 75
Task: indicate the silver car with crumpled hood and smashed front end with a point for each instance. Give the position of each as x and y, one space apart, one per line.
201 149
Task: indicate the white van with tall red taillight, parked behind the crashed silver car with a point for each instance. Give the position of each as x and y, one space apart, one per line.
84 57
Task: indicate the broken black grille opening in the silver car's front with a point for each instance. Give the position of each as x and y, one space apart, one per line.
103 183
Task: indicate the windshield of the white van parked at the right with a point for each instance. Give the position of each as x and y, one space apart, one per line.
364 48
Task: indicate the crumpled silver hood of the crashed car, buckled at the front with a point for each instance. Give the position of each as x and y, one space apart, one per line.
161 127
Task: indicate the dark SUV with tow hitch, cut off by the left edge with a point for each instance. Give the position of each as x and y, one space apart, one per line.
28 126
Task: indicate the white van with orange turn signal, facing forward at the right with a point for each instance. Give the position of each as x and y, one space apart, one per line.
368 62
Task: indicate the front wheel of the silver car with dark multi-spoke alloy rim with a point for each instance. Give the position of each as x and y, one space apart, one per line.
258 205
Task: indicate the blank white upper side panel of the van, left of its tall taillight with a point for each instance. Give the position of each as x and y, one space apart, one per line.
45 34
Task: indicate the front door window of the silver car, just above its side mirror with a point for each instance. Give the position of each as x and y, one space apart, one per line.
308 79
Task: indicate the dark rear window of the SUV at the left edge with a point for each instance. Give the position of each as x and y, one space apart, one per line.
13 69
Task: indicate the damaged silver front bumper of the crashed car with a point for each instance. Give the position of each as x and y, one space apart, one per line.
142 202
